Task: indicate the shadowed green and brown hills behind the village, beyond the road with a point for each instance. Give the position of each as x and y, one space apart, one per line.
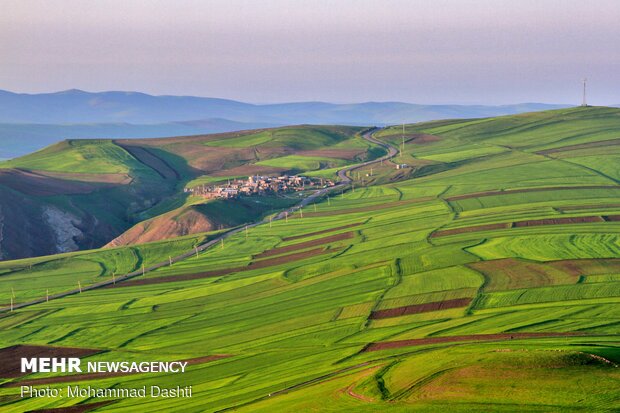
84 193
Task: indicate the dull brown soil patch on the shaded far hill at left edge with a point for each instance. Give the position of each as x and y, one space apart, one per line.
32 183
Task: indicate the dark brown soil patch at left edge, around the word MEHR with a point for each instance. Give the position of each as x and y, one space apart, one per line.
10 357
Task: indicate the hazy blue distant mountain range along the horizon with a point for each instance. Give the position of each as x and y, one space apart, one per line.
32 121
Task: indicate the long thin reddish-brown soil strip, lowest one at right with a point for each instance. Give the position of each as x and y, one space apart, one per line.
386 345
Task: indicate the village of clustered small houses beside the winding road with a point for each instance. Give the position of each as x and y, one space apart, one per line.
259 185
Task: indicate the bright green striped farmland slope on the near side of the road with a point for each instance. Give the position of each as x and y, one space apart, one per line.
483 280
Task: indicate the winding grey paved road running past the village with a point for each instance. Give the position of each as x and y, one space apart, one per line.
344 181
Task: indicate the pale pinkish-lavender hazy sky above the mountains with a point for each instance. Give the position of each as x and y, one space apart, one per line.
433 51
